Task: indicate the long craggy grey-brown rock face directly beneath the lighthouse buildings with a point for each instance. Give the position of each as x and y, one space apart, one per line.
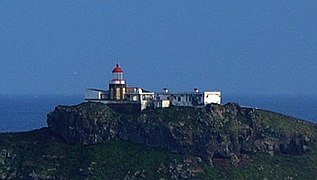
214 131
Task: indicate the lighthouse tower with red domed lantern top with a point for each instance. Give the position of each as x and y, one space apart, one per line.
117 86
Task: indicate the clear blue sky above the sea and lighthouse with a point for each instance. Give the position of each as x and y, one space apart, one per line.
238 47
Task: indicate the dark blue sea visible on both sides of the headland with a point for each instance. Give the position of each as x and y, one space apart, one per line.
25 113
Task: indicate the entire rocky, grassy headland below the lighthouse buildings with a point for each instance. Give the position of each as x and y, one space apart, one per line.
91 140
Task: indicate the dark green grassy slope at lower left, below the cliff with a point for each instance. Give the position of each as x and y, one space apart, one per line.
47 155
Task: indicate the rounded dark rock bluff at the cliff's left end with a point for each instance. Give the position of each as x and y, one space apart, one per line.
88 123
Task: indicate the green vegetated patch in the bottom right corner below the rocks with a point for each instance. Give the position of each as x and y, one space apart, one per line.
261 166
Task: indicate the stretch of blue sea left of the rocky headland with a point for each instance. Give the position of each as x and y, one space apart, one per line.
25 112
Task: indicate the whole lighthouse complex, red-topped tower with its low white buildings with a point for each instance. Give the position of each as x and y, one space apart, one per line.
119 95
